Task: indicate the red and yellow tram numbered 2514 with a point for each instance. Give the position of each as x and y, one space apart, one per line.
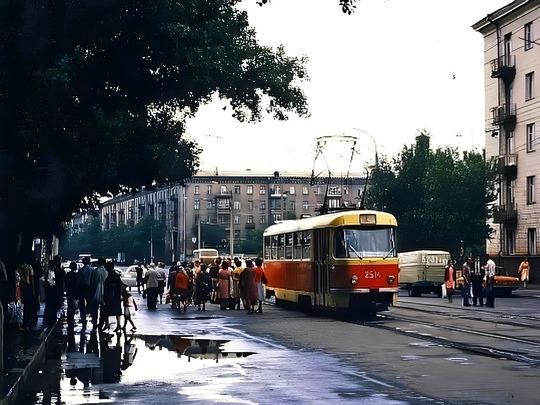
339 261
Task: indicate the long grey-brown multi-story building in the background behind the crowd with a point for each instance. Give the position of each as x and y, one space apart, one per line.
231 203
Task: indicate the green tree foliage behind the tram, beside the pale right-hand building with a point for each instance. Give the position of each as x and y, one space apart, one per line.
441 200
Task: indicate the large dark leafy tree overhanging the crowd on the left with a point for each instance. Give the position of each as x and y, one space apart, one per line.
93 97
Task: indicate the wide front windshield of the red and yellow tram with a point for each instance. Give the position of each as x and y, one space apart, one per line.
364 242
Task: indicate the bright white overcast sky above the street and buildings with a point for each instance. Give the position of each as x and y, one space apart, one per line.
380 75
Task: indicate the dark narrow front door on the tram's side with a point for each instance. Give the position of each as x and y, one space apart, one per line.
321 260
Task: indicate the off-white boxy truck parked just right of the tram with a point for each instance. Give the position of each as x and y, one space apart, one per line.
422 271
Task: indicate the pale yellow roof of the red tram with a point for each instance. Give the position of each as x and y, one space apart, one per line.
330 220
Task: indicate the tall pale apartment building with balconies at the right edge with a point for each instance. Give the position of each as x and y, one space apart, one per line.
512 65
